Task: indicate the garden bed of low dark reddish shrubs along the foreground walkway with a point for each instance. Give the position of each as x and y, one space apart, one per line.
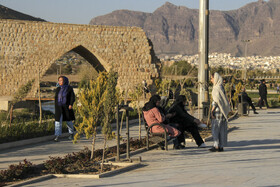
72 164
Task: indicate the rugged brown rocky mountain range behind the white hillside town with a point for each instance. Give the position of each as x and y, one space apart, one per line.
174 29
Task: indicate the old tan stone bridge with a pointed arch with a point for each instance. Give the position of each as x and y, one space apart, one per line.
27 47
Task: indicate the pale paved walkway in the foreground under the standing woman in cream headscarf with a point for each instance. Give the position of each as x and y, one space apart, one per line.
252 158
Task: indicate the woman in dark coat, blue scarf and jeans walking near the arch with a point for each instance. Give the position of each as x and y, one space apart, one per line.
64 100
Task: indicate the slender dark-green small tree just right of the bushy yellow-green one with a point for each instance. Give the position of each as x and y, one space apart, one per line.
109 104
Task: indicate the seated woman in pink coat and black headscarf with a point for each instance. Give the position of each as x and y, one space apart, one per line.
153 115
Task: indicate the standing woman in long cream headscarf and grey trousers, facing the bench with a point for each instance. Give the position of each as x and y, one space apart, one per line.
219 112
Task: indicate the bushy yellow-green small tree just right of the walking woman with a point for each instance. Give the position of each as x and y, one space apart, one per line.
90 108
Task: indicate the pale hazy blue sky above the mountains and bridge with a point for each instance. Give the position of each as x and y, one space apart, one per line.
82 11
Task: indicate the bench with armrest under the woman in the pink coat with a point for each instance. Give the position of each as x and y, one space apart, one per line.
156 137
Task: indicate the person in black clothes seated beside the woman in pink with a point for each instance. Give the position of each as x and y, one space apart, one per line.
186 121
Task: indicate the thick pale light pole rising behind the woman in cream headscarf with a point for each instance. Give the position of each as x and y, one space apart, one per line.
203 72
